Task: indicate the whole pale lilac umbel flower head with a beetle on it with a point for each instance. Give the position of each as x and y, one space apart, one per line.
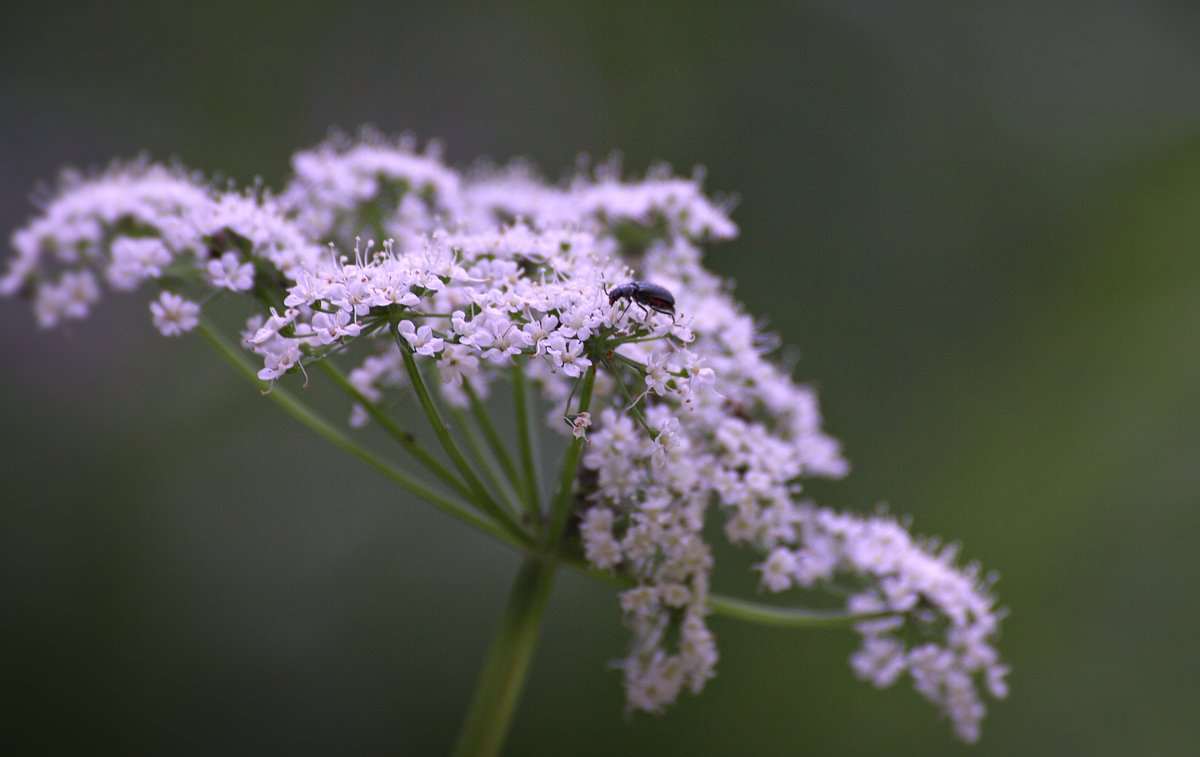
658 383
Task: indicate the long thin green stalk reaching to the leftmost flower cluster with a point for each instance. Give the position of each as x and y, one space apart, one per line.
327 431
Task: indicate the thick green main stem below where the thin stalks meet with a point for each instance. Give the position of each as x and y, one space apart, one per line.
500 686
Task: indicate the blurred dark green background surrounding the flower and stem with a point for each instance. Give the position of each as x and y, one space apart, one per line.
980 224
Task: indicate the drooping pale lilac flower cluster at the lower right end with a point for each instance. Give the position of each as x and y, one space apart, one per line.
945 618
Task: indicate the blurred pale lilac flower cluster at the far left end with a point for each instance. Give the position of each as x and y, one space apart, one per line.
142 221
